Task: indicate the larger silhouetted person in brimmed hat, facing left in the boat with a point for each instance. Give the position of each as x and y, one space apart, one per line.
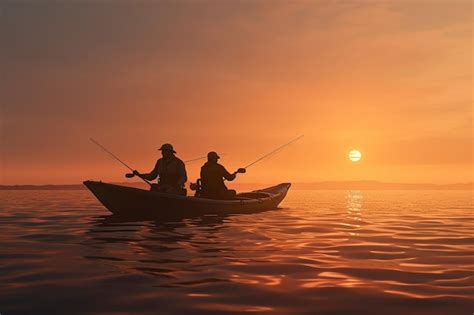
170 170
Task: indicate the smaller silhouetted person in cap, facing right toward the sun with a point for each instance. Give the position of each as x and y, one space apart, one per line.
212 179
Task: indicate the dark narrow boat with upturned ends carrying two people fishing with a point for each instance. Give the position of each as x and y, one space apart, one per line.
131 201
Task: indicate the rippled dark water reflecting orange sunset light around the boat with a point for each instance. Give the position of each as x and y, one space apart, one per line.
324 252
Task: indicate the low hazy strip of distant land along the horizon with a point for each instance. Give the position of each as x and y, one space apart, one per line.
325 185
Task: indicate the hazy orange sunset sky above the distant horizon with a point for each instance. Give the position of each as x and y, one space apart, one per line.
390 78
